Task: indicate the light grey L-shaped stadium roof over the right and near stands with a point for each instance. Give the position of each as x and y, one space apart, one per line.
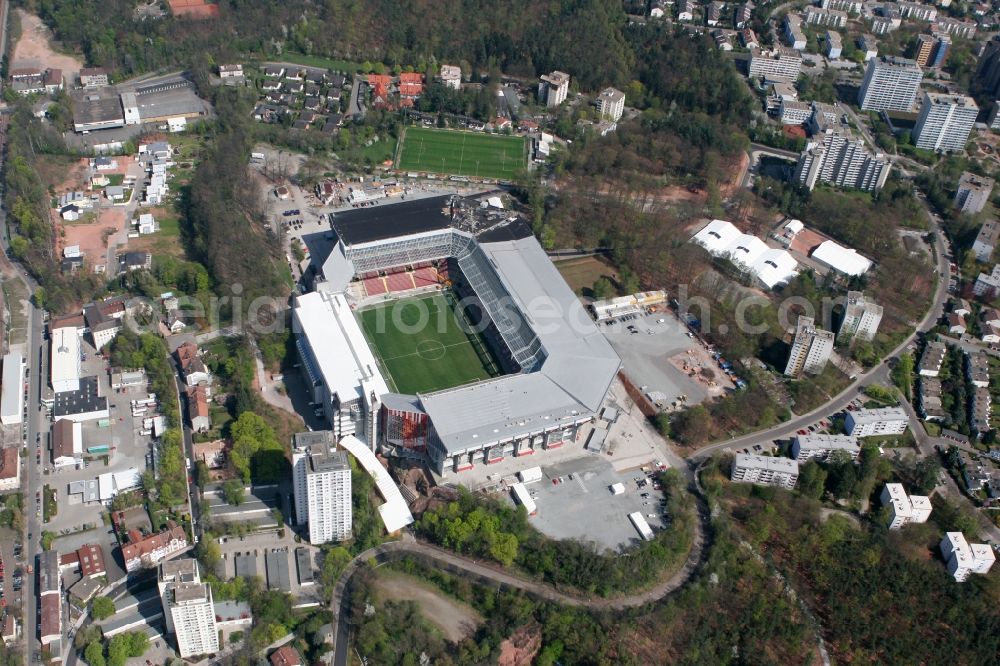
578 369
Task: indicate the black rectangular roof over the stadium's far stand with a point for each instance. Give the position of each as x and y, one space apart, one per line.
365 225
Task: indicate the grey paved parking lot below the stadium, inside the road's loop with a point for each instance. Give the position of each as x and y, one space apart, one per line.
580 504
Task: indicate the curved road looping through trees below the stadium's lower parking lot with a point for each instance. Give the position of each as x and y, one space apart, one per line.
487 572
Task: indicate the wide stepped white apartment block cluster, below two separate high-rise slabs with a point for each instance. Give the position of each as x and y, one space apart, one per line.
837 157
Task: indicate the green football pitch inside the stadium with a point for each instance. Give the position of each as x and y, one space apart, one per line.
422 348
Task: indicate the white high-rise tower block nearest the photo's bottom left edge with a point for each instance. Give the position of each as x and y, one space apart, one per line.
188 609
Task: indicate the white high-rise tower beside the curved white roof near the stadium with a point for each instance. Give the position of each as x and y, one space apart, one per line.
322 479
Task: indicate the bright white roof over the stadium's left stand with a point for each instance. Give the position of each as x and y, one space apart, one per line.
342 355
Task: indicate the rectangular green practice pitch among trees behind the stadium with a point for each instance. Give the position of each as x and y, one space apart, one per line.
460 153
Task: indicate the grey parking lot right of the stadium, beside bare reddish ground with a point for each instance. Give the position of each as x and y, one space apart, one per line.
646 354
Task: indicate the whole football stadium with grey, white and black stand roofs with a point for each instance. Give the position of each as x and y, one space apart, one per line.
439 329
